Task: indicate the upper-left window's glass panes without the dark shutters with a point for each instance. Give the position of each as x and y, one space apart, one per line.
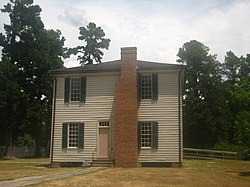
75 88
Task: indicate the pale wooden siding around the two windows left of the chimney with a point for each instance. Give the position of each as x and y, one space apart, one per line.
98 106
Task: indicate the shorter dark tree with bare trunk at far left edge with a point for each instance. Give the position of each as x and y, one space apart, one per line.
12 103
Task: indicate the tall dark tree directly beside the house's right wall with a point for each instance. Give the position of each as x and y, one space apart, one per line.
205 112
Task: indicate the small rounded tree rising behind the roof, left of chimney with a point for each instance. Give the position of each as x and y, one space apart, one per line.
94 41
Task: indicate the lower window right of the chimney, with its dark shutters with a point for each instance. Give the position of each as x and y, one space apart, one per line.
148 135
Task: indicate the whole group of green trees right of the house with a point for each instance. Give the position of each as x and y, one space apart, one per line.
216 98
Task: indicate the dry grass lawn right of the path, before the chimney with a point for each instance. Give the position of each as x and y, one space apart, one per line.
194 173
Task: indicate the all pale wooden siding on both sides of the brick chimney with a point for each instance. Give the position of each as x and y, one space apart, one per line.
100 106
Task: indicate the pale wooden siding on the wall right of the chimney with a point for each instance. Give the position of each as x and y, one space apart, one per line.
165 111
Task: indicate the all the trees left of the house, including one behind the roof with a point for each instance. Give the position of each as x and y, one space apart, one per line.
29 52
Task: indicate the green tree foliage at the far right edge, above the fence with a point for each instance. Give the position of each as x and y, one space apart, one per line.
237 80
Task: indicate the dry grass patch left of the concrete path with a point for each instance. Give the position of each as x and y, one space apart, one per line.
17 168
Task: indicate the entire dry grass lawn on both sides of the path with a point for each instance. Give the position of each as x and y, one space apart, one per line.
194 173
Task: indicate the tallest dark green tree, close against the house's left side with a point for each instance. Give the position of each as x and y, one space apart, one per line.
32 51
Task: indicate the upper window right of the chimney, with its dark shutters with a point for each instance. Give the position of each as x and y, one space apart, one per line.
148 87
